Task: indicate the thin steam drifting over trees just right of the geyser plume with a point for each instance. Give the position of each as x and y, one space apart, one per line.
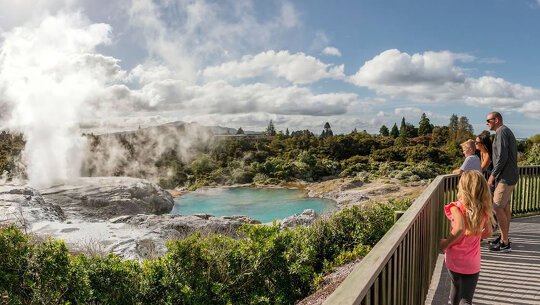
139 153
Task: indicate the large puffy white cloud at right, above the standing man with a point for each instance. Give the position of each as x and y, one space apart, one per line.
434 77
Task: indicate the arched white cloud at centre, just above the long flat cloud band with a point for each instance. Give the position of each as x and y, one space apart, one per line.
297 68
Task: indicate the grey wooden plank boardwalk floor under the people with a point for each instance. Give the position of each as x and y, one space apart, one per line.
505 278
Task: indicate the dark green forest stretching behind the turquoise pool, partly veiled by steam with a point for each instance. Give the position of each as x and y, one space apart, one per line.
408 152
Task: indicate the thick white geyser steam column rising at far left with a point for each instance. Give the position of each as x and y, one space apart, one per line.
45 80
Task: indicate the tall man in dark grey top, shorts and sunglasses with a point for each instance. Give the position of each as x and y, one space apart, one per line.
504 176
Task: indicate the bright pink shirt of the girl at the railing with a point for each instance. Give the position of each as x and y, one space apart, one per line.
463 256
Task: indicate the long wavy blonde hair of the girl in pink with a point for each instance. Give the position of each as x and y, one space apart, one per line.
474 193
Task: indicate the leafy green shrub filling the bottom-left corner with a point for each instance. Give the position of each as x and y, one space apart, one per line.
42 273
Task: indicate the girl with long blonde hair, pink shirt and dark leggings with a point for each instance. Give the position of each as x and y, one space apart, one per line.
471 219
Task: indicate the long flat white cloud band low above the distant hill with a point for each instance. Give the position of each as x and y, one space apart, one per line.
222 97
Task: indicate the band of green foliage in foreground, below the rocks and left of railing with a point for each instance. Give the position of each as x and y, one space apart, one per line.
267 266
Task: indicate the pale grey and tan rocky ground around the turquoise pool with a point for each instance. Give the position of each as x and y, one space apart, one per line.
129 216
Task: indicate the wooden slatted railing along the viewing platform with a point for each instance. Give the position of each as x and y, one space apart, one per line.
398 269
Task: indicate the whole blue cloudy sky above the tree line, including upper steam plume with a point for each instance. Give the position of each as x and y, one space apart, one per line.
108 65
